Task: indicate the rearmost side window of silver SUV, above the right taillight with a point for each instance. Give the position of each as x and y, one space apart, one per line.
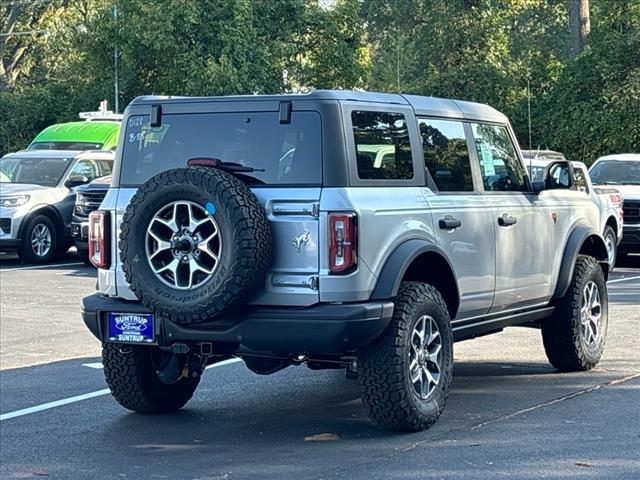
383 149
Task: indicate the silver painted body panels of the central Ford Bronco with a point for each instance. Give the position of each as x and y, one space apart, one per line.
497 268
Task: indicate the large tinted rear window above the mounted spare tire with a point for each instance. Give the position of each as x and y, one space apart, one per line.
281 153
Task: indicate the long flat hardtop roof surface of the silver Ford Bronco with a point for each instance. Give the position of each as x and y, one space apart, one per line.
430 106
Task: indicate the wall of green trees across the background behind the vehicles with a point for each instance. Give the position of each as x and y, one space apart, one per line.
481 50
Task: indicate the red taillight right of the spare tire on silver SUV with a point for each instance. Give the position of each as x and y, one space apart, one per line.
343 242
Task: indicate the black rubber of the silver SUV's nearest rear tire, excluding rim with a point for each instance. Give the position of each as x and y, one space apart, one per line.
383 367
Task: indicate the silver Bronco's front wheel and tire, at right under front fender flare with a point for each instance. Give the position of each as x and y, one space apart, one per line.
567 335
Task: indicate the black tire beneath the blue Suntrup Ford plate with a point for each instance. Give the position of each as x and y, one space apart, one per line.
135 385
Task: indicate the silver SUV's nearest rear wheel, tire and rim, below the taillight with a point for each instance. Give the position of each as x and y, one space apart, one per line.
405 373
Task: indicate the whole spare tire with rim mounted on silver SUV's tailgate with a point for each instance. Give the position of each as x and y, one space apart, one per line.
194 242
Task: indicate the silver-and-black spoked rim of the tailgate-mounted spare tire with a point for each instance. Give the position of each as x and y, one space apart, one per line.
183 245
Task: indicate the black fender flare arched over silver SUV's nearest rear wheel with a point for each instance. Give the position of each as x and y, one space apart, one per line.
398 263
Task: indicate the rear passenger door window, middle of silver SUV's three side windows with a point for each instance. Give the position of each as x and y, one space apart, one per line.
446 154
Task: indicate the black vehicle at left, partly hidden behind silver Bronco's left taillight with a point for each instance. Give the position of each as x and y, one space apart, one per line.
89 197
